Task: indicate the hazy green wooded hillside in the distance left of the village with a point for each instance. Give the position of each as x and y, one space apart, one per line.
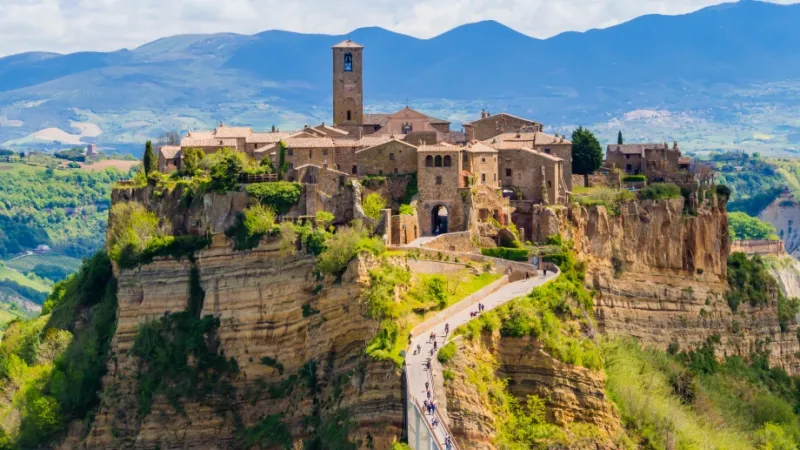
64 209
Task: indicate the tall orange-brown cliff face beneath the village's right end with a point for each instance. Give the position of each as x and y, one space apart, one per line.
661 275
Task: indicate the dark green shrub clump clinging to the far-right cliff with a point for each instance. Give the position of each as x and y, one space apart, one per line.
750 281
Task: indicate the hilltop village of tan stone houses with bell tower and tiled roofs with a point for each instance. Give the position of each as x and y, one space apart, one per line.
510 160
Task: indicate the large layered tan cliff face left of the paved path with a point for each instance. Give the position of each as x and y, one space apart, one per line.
258 296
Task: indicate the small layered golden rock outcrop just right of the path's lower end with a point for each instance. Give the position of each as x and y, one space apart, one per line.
573 395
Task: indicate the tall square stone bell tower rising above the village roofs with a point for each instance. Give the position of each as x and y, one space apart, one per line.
348 84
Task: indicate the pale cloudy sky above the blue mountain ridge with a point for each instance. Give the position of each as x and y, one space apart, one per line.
65 26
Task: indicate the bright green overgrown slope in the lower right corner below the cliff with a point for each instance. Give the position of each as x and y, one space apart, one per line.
689 400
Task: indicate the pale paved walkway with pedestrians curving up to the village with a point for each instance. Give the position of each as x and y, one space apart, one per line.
417 373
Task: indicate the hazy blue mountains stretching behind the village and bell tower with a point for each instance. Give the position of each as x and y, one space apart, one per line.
704 65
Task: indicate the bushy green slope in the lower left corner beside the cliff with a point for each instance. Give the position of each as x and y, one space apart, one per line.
50 373
